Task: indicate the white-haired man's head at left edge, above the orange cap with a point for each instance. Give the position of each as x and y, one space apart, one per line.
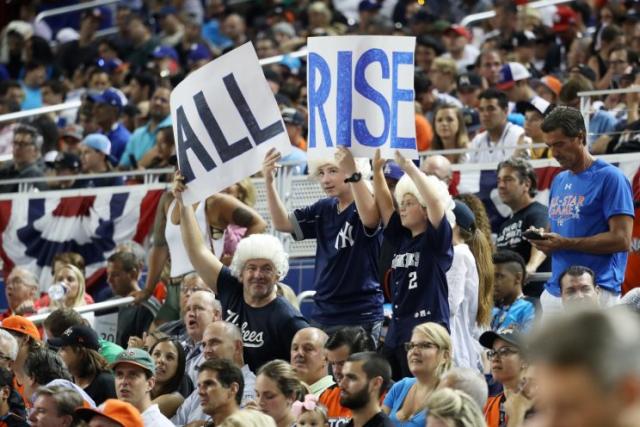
21 290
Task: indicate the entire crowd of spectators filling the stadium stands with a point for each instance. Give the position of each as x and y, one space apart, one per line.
214 336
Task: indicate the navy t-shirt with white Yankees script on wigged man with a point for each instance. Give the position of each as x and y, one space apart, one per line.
266 331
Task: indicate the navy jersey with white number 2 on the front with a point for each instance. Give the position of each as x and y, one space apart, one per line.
418 281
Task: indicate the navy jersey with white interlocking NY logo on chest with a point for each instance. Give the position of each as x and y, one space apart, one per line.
347 289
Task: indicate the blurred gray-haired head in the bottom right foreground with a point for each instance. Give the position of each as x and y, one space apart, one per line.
587 368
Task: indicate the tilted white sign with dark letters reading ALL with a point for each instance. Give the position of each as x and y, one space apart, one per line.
225 119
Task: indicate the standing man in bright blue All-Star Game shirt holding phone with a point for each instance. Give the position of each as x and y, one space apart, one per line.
590 212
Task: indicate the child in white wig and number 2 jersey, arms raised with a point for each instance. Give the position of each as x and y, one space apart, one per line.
421 234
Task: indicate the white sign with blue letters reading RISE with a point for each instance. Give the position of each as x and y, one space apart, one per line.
360 95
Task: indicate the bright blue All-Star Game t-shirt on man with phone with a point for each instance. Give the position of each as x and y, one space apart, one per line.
580 206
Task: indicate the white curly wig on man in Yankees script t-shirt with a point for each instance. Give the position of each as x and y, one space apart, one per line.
260 246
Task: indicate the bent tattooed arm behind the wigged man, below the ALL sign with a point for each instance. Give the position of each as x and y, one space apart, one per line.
223 209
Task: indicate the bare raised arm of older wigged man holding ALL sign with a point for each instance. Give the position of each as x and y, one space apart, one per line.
205 263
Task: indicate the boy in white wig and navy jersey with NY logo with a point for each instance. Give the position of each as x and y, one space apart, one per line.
348 241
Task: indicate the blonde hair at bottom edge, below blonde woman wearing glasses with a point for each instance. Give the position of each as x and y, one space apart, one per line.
457 406
